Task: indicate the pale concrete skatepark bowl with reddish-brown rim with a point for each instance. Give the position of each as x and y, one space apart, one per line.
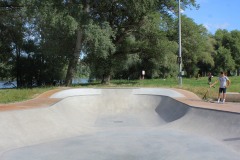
126 123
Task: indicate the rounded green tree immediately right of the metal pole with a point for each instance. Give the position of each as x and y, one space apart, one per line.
196 47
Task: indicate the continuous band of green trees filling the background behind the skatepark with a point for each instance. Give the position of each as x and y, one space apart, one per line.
118 39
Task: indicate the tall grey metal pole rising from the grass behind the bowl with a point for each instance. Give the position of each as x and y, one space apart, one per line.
180 44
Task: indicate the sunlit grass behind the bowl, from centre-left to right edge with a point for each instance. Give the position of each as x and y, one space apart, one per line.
197 86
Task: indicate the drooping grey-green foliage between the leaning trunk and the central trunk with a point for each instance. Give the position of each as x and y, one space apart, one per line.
98 48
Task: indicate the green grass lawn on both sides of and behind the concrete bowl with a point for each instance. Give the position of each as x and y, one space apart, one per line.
197 86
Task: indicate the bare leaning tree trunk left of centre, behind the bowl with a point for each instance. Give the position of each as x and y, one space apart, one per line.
74 59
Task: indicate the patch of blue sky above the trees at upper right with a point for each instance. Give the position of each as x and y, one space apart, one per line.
216 14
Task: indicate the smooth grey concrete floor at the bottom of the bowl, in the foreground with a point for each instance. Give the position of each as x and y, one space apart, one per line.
141 144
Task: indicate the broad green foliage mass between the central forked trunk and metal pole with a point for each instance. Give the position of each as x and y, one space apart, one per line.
149 49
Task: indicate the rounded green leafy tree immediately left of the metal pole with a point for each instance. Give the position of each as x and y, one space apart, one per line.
157 52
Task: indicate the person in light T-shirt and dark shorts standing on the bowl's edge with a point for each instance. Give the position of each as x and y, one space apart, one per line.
224 83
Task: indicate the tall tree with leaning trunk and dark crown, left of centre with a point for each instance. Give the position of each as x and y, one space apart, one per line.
58 28
